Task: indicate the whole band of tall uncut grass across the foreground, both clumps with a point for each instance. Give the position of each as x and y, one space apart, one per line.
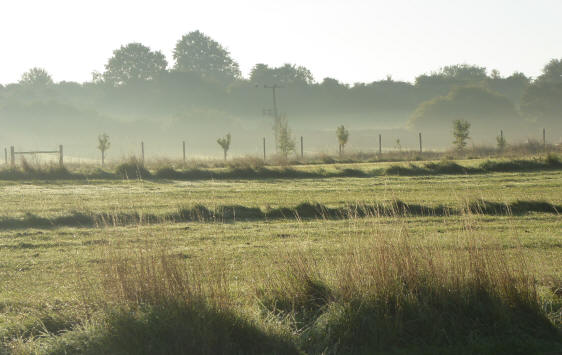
385 293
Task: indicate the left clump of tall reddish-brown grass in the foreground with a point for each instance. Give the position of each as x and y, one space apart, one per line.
160 304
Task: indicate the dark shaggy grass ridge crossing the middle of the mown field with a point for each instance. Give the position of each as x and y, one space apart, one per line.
305 210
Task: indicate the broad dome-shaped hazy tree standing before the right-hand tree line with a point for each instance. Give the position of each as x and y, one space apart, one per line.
471 103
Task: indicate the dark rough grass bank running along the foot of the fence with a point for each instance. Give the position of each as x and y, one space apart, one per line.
136 170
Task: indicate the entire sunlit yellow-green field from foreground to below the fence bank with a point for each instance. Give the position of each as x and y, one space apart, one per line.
283 285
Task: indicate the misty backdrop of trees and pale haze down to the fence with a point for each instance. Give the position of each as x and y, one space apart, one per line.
202 95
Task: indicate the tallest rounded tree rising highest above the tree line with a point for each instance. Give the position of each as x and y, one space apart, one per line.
197 52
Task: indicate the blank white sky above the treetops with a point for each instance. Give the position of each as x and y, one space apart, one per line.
350 40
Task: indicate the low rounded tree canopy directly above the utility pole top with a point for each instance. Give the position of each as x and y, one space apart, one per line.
288 74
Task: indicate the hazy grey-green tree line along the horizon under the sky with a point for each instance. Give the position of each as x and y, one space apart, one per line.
204 84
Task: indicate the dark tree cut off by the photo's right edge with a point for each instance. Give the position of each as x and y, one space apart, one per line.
542 101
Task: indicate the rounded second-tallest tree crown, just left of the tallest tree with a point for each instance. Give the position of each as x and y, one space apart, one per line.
134 62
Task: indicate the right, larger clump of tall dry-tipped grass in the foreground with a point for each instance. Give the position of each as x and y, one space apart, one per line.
391 292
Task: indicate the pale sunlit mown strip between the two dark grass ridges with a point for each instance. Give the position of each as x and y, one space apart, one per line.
50 199
